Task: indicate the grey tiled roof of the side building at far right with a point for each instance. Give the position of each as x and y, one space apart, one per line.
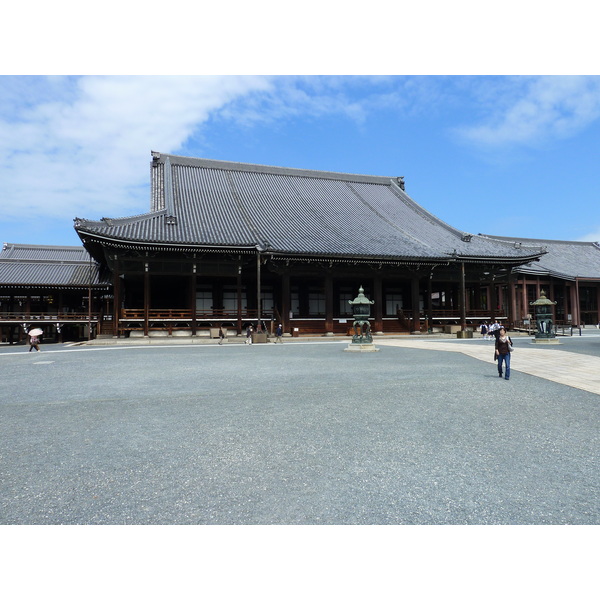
565 260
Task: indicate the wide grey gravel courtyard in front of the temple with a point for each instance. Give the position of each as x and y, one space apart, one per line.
298 433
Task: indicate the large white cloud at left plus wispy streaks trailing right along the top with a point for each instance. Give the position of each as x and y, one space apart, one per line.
77 146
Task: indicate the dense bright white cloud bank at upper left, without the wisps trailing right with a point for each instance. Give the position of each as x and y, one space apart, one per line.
76 146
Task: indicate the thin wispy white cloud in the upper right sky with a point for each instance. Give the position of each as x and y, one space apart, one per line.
541 108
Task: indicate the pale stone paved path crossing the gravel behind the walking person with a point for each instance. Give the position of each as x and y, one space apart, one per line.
569 368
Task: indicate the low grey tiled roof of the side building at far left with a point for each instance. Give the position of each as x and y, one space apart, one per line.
61 266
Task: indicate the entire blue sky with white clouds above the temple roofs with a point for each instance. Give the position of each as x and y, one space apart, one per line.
504 155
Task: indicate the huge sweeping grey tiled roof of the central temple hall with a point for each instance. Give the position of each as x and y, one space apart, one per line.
206 203
